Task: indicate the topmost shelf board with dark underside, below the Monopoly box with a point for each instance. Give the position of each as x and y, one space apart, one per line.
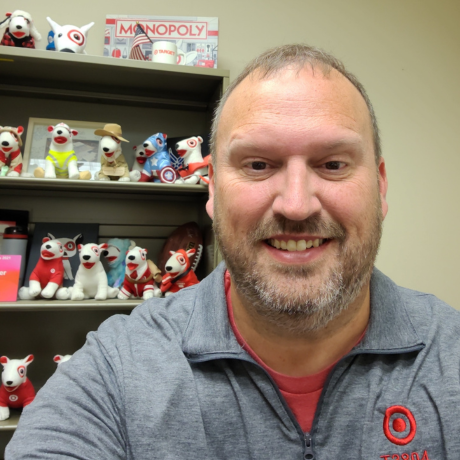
65 76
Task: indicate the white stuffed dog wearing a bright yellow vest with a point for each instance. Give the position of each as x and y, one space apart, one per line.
61 161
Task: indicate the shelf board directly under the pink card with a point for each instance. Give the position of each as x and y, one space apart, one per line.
66 305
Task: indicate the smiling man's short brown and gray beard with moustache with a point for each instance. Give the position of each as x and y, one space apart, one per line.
285 295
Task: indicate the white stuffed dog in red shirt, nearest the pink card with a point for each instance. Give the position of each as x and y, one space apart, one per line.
48 275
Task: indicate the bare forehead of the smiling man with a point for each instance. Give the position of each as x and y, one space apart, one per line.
307 92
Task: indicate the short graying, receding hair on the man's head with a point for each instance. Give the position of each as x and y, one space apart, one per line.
297 56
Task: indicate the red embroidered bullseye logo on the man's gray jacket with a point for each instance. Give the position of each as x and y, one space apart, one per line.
399 425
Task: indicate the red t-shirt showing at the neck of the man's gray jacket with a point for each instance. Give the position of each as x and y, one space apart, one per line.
301 393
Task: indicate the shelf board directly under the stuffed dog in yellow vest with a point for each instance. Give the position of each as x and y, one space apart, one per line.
142 188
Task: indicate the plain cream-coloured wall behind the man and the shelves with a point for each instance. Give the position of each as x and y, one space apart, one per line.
406 53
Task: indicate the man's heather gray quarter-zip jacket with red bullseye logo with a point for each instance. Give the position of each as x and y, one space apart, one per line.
170 381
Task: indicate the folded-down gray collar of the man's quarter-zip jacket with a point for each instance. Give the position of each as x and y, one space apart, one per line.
209 334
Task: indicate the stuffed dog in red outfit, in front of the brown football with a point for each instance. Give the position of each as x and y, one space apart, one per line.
179 272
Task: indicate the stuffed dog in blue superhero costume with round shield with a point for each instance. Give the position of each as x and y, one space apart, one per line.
158 166
